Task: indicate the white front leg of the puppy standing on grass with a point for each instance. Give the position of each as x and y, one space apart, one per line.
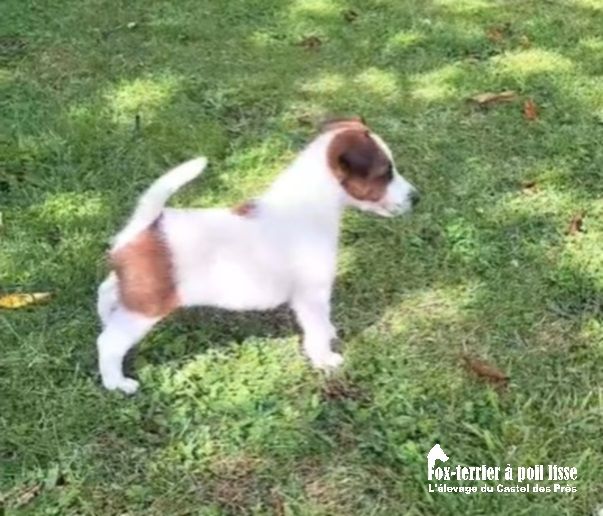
312 309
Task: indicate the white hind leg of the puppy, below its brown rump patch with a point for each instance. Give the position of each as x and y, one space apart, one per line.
122 331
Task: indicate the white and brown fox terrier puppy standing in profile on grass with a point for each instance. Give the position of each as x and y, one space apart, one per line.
281 248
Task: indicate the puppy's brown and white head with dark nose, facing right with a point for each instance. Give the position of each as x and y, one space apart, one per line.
364 166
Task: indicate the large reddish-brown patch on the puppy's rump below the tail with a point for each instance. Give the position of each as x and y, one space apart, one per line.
144 270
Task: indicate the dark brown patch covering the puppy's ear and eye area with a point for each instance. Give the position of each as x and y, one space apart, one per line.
359 164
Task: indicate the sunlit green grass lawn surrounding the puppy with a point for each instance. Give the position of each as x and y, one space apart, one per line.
97 98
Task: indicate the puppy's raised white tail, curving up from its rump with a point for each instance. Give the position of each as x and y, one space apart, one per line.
152 202
